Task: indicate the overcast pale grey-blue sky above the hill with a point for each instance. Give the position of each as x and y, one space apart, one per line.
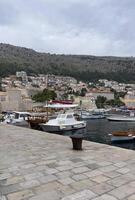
95 27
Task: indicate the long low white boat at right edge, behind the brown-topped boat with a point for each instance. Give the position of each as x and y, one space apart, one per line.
121 118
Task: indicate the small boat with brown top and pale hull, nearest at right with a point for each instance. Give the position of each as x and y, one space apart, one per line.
123 136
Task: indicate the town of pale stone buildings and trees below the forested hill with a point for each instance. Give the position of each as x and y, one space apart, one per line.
25 93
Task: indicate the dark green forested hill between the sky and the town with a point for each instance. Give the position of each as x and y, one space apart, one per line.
82 67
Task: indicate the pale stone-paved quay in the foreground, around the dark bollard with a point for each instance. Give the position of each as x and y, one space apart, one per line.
36 165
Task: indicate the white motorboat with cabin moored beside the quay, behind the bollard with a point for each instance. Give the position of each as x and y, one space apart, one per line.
63 122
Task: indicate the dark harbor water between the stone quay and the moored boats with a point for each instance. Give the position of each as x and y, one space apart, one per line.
100 130
